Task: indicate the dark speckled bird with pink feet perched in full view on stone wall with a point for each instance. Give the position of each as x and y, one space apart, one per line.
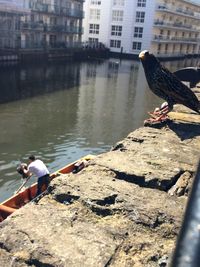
167 86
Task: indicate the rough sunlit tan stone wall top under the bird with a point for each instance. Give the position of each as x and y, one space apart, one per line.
124 209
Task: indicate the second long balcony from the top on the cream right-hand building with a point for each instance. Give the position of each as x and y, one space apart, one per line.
175 25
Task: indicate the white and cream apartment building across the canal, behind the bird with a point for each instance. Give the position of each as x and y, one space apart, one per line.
165 27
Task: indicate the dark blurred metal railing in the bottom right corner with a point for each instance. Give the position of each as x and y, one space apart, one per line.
187 251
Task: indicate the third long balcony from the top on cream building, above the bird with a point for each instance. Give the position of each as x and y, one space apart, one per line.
174 39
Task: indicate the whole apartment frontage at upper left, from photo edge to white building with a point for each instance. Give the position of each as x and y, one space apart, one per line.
41 24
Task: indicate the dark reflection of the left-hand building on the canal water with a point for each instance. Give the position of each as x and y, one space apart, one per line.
27 81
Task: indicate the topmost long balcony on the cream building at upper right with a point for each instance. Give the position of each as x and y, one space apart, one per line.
177 11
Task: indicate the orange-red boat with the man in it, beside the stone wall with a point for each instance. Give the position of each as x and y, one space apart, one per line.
22 198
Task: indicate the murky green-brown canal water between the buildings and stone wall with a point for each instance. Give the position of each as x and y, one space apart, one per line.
63 111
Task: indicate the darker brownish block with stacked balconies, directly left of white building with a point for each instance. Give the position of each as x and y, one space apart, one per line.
52 24
